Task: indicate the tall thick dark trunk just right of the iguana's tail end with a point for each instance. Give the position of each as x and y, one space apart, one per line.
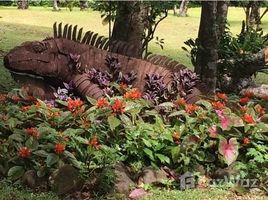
207 55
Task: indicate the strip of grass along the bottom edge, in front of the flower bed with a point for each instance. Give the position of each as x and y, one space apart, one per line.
8 192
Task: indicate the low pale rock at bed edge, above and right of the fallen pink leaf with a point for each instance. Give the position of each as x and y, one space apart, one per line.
152 176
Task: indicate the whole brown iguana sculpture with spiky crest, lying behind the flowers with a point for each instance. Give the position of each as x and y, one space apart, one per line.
70 57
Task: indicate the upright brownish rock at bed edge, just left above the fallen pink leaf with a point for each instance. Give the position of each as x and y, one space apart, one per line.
123 182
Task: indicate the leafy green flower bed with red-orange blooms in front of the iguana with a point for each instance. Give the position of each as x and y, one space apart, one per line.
95 134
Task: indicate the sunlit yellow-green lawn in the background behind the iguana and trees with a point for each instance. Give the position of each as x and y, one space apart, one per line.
36 23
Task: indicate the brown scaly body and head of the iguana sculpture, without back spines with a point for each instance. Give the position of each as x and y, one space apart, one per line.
63 60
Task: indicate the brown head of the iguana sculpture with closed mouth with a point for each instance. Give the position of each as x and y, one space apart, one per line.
37 58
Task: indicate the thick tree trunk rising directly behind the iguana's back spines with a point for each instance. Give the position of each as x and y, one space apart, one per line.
129 24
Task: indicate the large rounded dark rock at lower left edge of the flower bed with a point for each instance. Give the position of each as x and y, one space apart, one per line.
65 180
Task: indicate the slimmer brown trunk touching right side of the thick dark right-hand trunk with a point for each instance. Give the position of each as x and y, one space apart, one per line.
222 11
